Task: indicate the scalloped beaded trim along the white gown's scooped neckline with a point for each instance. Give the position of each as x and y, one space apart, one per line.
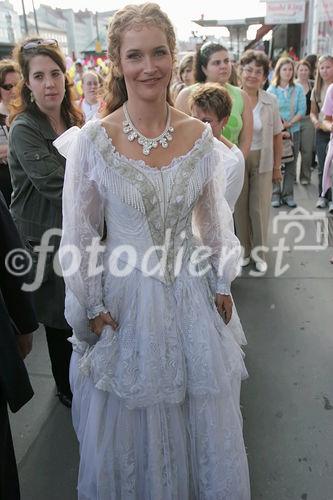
141 164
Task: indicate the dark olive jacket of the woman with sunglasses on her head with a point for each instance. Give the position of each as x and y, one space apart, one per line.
37 172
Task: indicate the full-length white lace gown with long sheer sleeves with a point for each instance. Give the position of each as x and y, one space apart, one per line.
156 403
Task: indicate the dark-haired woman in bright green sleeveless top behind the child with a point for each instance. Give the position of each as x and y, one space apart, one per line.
213 64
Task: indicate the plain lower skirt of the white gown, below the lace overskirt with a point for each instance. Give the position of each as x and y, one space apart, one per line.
190 451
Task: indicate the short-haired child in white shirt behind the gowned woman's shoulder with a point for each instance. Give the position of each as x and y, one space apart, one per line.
212 104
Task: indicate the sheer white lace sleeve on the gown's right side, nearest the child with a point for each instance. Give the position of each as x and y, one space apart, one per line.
212 221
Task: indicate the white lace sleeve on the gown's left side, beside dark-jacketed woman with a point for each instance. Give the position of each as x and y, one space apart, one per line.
83 220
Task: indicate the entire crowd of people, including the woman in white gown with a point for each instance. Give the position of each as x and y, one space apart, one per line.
194 152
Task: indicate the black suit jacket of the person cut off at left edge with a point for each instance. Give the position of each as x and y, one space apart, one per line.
16 318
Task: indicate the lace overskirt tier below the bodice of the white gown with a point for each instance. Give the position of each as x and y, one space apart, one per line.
171 341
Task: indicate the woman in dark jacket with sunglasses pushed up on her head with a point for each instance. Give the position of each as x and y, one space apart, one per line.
43 110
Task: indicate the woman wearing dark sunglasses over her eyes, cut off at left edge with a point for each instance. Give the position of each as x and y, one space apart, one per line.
9 77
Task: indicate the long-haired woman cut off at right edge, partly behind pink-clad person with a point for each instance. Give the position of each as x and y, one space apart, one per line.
324 78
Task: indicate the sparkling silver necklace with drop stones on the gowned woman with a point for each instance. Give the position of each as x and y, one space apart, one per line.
147 143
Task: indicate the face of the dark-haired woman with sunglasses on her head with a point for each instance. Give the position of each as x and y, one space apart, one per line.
46 82
